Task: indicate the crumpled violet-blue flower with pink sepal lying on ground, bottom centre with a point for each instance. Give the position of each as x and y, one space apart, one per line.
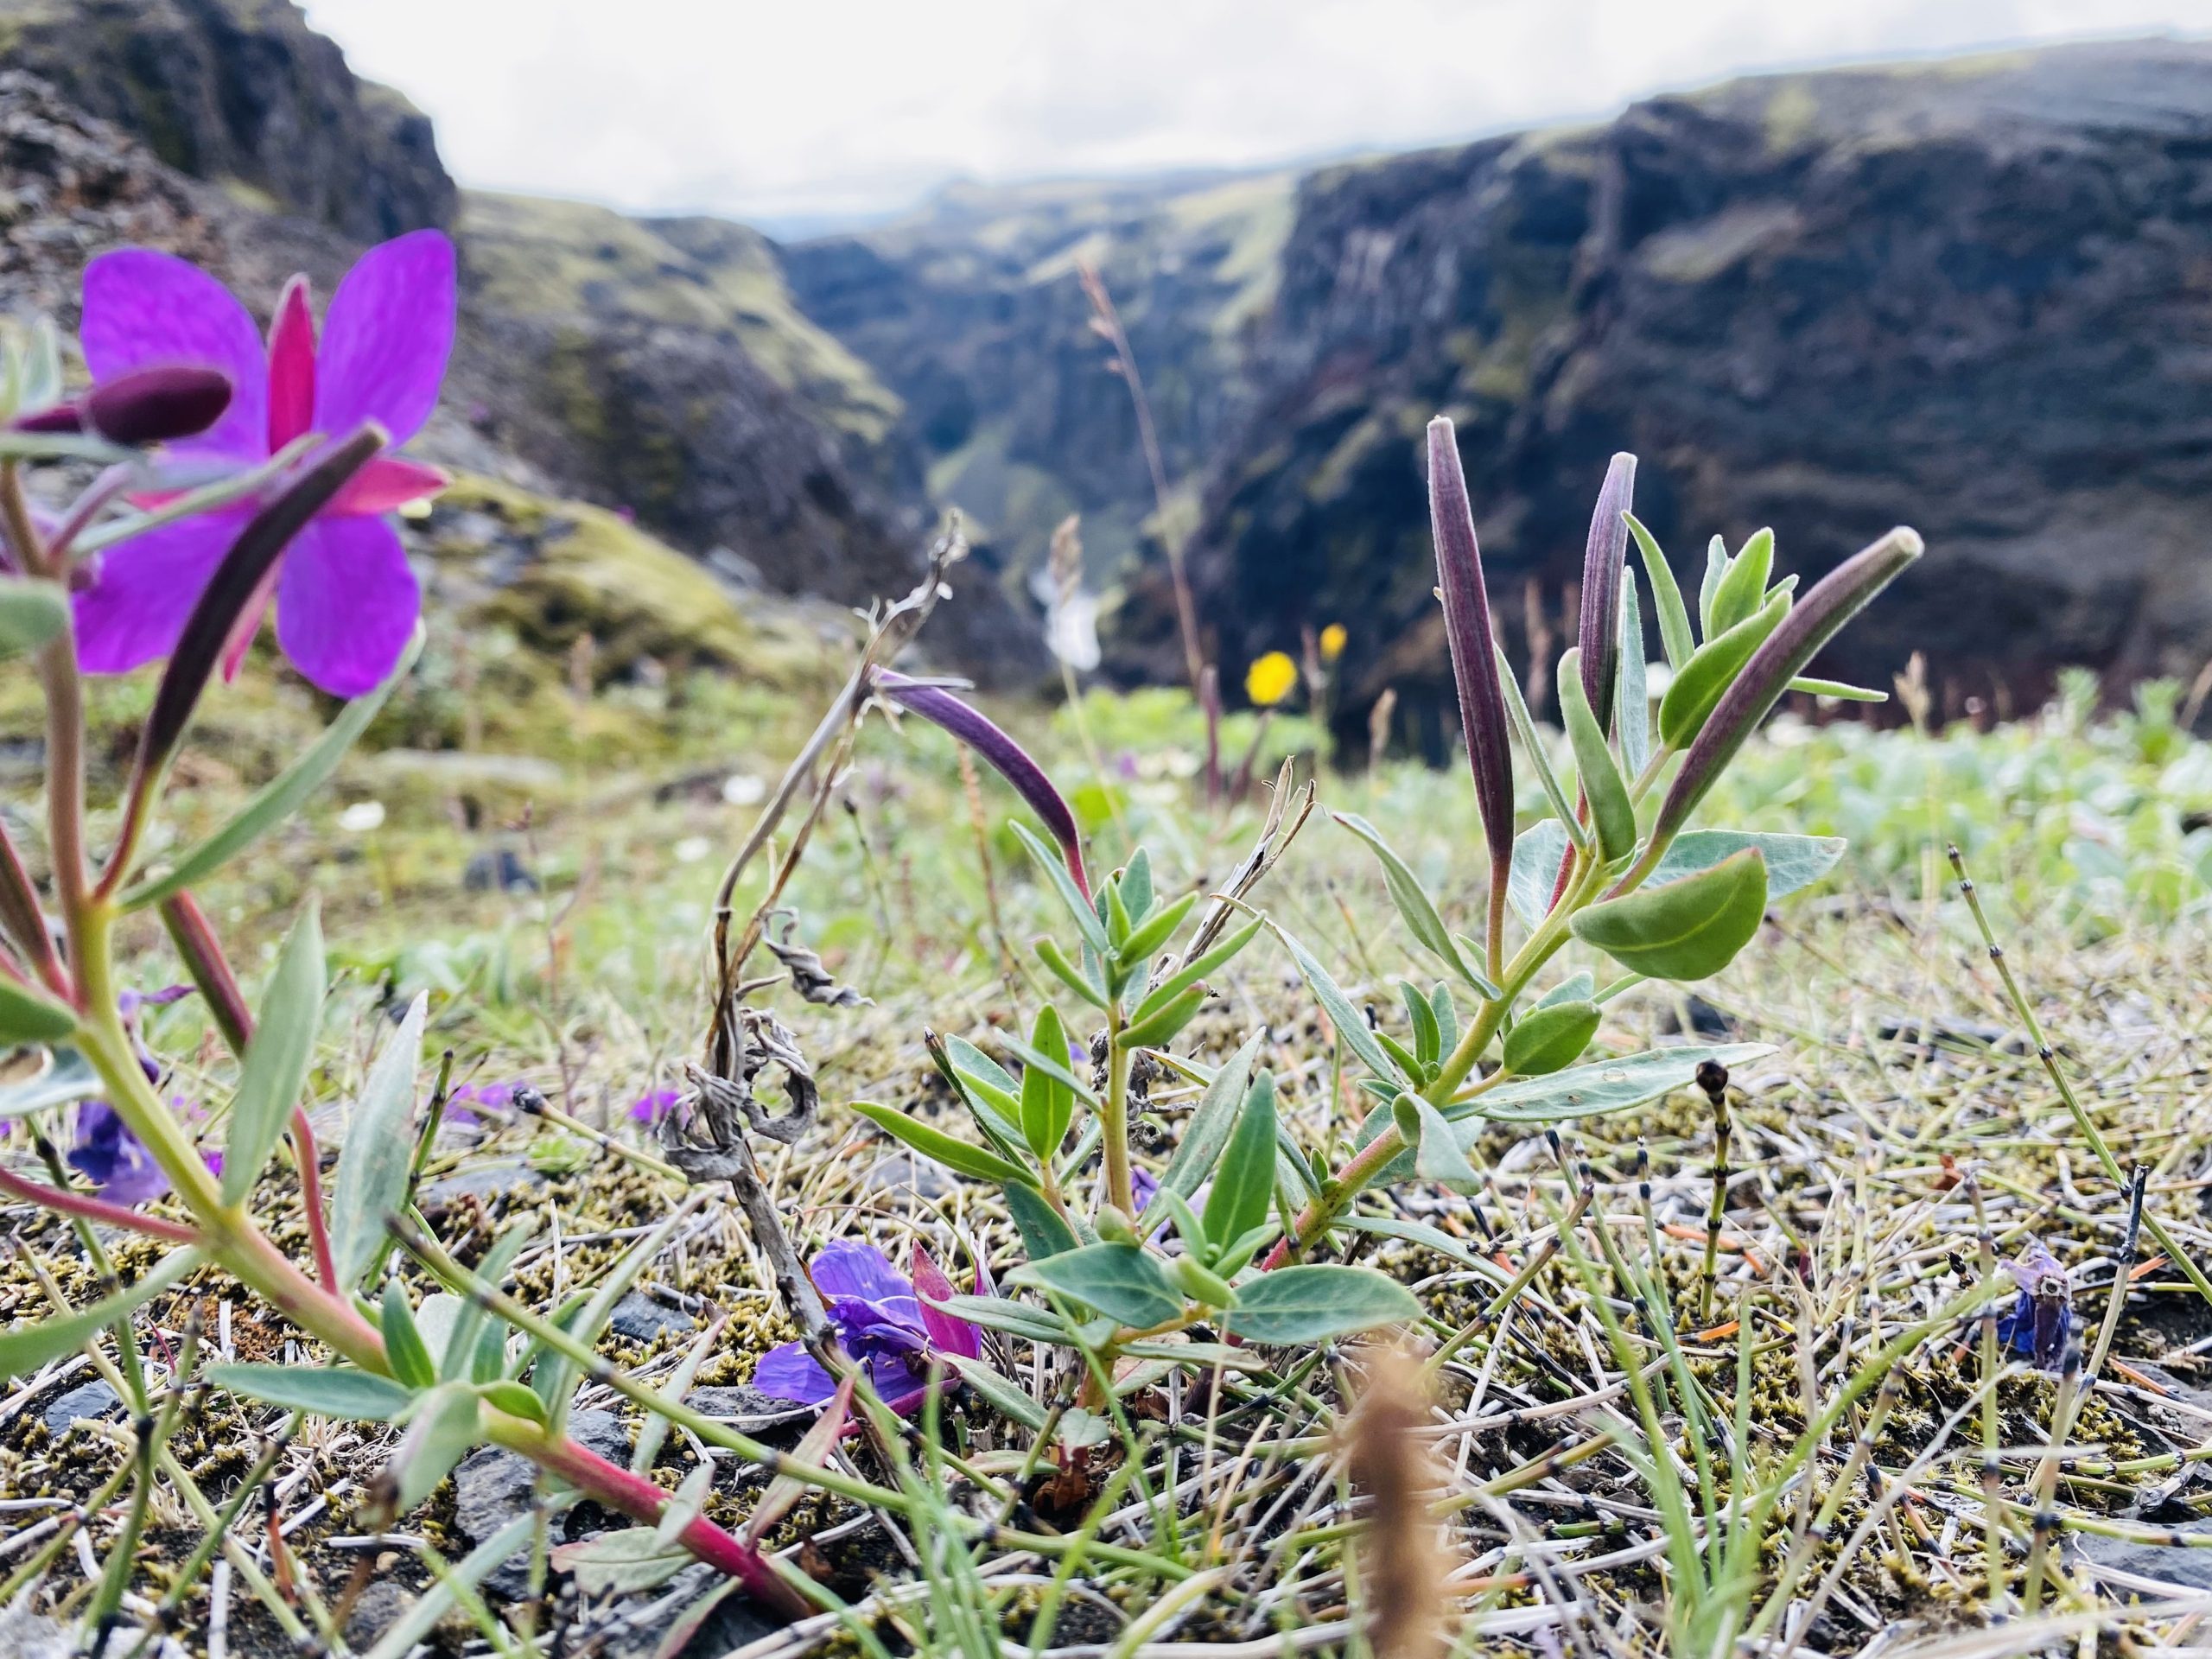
881 1322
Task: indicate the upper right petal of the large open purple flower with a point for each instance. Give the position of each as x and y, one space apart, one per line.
386 337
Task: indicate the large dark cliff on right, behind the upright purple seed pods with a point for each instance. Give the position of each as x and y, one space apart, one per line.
1974 298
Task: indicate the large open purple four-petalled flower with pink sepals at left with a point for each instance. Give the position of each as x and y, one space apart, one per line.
346 601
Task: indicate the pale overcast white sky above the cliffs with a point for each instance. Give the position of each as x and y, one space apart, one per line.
789 109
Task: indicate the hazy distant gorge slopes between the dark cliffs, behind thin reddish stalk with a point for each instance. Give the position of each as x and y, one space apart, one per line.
974 317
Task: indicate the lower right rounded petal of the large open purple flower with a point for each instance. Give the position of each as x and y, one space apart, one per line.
346 605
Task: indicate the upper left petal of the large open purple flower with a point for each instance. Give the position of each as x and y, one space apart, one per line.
147 311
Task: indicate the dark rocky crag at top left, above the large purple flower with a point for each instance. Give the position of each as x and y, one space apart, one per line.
244 94
